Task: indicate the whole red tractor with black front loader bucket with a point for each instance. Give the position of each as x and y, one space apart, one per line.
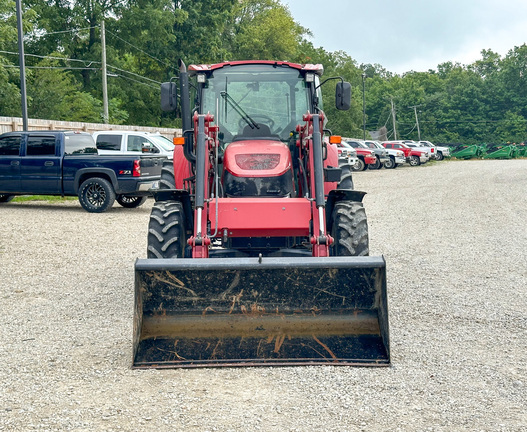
257 242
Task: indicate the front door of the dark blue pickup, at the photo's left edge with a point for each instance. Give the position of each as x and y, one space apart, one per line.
10 163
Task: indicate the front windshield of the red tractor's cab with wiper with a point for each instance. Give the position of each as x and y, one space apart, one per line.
256 97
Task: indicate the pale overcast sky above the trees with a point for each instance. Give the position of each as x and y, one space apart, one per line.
414 35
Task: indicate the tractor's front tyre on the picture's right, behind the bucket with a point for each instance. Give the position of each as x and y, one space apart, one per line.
349 230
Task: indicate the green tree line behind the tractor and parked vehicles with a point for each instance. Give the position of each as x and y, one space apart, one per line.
482 102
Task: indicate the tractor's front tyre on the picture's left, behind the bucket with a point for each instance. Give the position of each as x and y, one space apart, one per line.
166 231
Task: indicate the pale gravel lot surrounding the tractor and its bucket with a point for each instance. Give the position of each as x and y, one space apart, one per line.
454 236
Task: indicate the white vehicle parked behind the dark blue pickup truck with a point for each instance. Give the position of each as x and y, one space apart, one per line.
126 142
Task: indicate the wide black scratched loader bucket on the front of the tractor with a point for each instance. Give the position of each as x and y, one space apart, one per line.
260 311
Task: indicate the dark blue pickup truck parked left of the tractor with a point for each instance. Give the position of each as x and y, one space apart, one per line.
66 163
